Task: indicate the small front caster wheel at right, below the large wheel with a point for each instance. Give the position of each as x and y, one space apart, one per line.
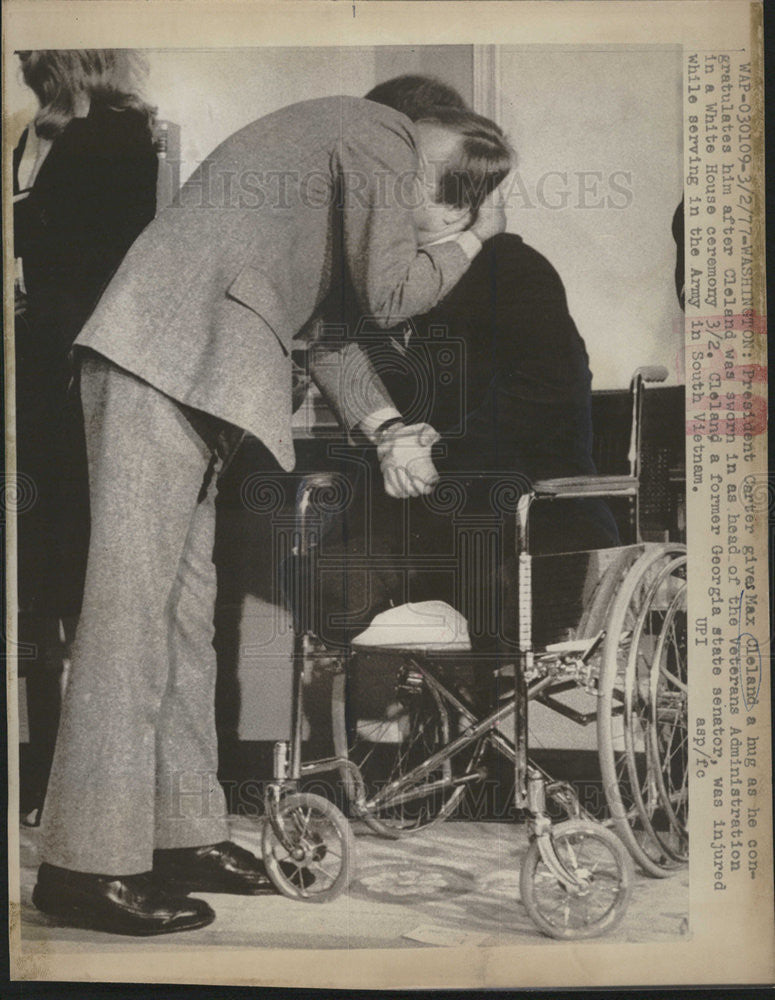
599 861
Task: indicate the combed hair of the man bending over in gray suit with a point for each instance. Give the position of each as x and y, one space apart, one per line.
482 160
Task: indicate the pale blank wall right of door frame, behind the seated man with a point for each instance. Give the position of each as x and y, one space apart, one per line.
614 114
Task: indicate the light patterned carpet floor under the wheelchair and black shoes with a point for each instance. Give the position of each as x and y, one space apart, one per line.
451 885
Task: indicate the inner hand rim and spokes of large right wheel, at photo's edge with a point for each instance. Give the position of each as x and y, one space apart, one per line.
668 723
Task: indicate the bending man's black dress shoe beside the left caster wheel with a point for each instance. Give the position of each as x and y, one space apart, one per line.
223 867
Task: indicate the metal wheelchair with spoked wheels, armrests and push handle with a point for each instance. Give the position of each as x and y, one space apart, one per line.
640 597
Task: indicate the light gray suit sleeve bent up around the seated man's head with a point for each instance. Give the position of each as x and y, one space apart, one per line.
392 278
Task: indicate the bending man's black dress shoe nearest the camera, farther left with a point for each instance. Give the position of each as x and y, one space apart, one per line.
128 904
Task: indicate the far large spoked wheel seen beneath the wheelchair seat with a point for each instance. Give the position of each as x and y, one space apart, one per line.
388 739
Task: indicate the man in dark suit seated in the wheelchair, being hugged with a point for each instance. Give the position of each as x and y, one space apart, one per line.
500 371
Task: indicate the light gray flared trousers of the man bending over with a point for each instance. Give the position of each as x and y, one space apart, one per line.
136 757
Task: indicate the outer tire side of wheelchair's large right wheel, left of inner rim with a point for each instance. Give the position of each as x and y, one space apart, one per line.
630 773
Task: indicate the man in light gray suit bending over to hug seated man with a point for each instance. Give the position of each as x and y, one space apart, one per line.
188 349
